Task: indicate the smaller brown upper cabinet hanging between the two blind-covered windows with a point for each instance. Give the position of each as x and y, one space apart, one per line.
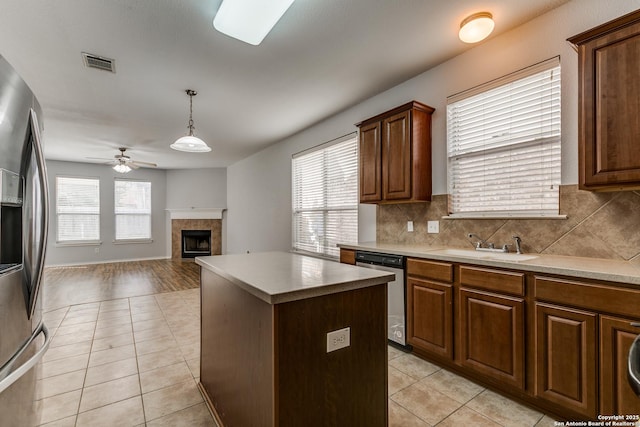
395 155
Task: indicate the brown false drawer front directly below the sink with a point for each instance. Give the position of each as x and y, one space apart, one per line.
504 282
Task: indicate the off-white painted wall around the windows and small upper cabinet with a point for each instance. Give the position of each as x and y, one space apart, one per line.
259 187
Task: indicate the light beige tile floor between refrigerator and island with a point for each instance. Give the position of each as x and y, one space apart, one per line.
126 362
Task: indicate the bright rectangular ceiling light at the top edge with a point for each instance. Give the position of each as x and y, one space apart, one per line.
249 20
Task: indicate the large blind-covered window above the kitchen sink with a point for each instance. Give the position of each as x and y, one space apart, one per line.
503 143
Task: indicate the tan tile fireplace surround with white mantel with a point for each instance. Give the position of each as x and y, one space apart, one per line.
188 219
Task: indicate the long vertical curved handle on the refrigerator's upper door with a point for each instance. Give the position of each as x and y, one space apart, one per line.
44 218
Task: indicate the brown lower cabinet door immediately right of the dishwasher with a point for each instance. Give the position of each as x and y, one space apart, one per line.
430 316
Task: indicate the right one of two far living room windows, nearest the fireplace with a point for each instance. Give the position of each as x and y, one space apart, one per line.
132 209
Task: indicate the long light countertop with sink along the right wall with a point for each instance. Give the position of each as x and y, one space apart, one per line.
585 268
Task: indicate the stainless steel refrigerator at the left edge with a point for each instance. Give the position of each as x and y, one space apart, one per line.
23 232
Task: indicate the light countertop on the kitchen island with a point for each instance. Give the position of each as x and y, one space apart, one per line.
278 277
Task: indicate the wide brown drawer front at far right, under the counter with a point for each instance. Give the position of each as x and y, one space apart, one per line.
601 298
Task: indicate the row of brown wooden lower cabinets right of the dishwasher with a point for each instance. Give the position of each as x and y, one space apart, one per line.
555 342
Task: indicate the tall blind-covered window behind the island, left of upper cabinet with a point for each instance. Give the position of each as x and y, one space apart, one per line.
325 197
